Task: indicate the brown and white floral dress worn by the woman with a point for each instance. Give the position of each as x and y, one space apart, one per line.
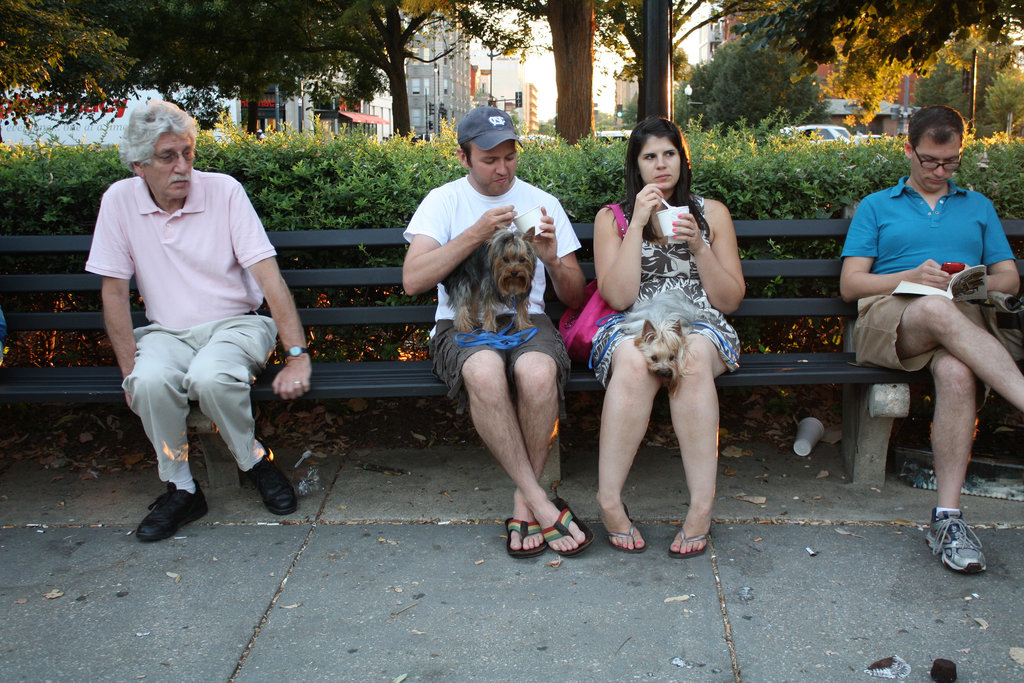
666 268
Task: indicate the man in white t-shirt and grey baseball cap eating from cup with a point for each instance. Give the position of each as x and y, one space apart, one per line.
516 395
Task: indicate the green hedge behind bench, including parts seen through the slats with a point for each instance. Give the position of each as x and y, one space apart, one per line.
322 182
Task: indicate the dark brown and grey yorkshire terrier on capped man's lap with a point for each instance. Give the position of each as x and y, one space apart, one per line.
499 274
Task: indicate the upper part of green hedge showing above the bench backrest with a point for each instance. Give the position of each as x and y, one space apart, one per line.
302 182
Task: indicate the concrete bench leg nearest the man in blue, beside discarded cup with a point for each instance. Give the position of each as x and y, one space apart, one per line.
869 412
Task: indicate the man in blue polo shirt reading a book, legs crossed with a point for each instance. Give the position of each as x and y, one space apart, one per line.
907 233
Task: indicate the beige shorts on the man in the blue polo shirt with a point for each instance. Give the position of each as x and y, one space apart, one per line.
875 335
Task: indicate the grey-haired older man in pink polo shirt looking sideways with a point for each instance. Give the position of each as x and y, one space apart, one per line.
203 265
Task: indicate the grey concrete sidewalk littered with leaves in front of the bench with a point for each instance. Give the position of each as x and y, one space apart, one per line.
397 568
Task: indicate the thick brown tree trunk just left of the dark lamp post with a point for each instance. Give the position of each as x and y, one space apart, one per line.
573 28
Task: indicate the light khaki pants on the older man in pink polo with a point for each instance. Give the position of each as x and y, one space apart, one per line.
215 364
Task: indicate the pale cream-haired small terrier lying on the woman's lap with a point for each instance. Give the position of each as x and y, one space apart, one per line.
661 326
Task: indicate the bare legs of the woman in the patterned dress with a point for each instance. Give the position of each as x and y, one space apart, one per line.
627 410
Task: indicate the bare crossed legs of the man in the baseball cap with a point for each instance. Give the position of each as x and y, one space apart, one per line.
520 436
